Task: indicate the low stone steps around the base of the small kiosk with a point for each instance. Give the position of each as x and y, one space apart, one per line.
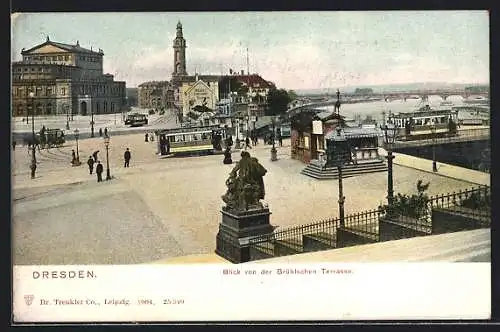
315 169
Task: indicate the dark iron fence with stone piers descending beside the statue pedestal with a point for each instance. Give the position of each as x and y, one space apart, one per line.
462 210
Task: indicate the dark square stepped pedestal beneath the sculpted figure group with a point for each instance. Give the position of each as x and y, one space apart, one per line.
235 229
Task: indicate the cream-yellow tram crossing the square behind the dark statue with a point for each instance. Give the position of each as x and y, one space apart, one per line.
190 140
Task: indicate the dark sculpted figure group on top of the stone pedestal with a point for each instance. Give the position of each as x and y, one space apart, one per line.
245 185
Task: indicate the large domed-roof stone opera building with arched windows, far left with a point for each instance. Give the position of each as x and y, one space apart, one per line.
65 79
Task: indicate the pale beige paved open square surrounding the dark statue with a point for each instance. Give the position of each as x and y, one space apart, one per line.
168 208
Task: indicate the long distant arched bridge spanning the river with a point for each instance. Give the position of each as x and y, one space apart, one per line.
346 98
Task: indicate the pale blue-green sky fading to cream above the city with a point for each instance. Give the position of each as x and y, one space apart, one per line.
295 50
